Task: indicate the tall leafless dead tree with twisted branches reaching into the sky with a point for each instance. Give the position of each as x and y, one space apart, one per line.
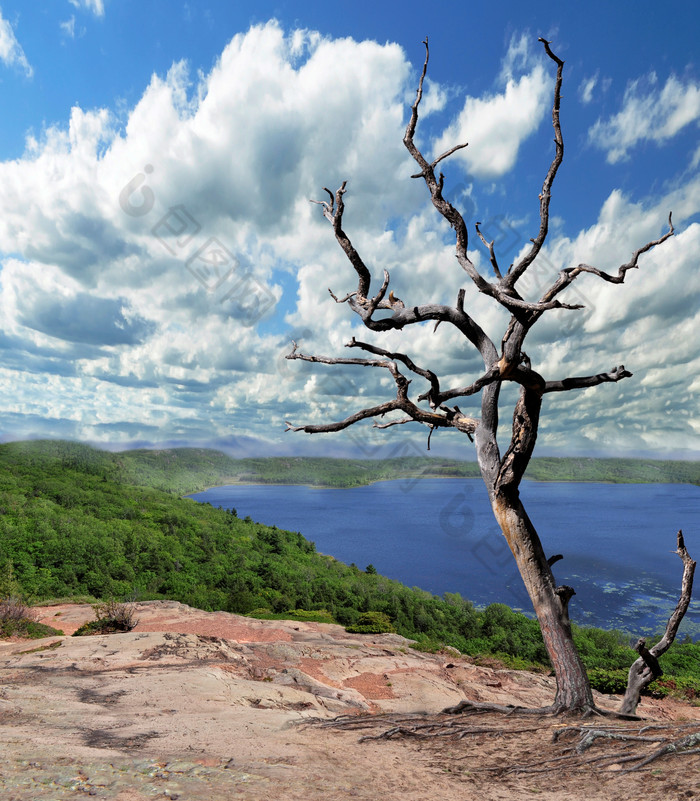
502 472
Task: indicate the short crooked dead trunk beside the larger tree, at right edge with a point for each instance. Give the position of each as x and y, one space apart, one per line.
647 667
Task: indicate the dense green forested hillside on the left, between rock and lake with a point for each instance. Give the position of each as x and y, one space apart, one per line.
71 526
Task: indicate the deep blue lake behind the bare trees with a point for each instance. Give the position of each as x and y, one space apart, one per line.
440 535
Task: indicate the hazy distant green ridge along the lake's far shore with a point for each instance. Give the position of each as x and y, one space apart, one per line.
185 470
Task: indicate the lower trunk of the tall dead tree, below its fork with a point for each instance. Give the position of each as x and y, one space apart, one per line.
550 604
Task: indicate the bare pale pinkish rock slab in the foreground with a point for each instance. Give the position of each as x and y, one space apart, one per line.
201 705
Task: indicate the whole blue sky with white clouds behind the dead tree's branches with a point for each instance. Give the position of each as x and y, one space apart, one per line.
158 250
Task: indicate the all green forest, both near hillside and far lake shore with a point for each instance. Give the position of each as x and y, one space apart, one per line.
76 522
